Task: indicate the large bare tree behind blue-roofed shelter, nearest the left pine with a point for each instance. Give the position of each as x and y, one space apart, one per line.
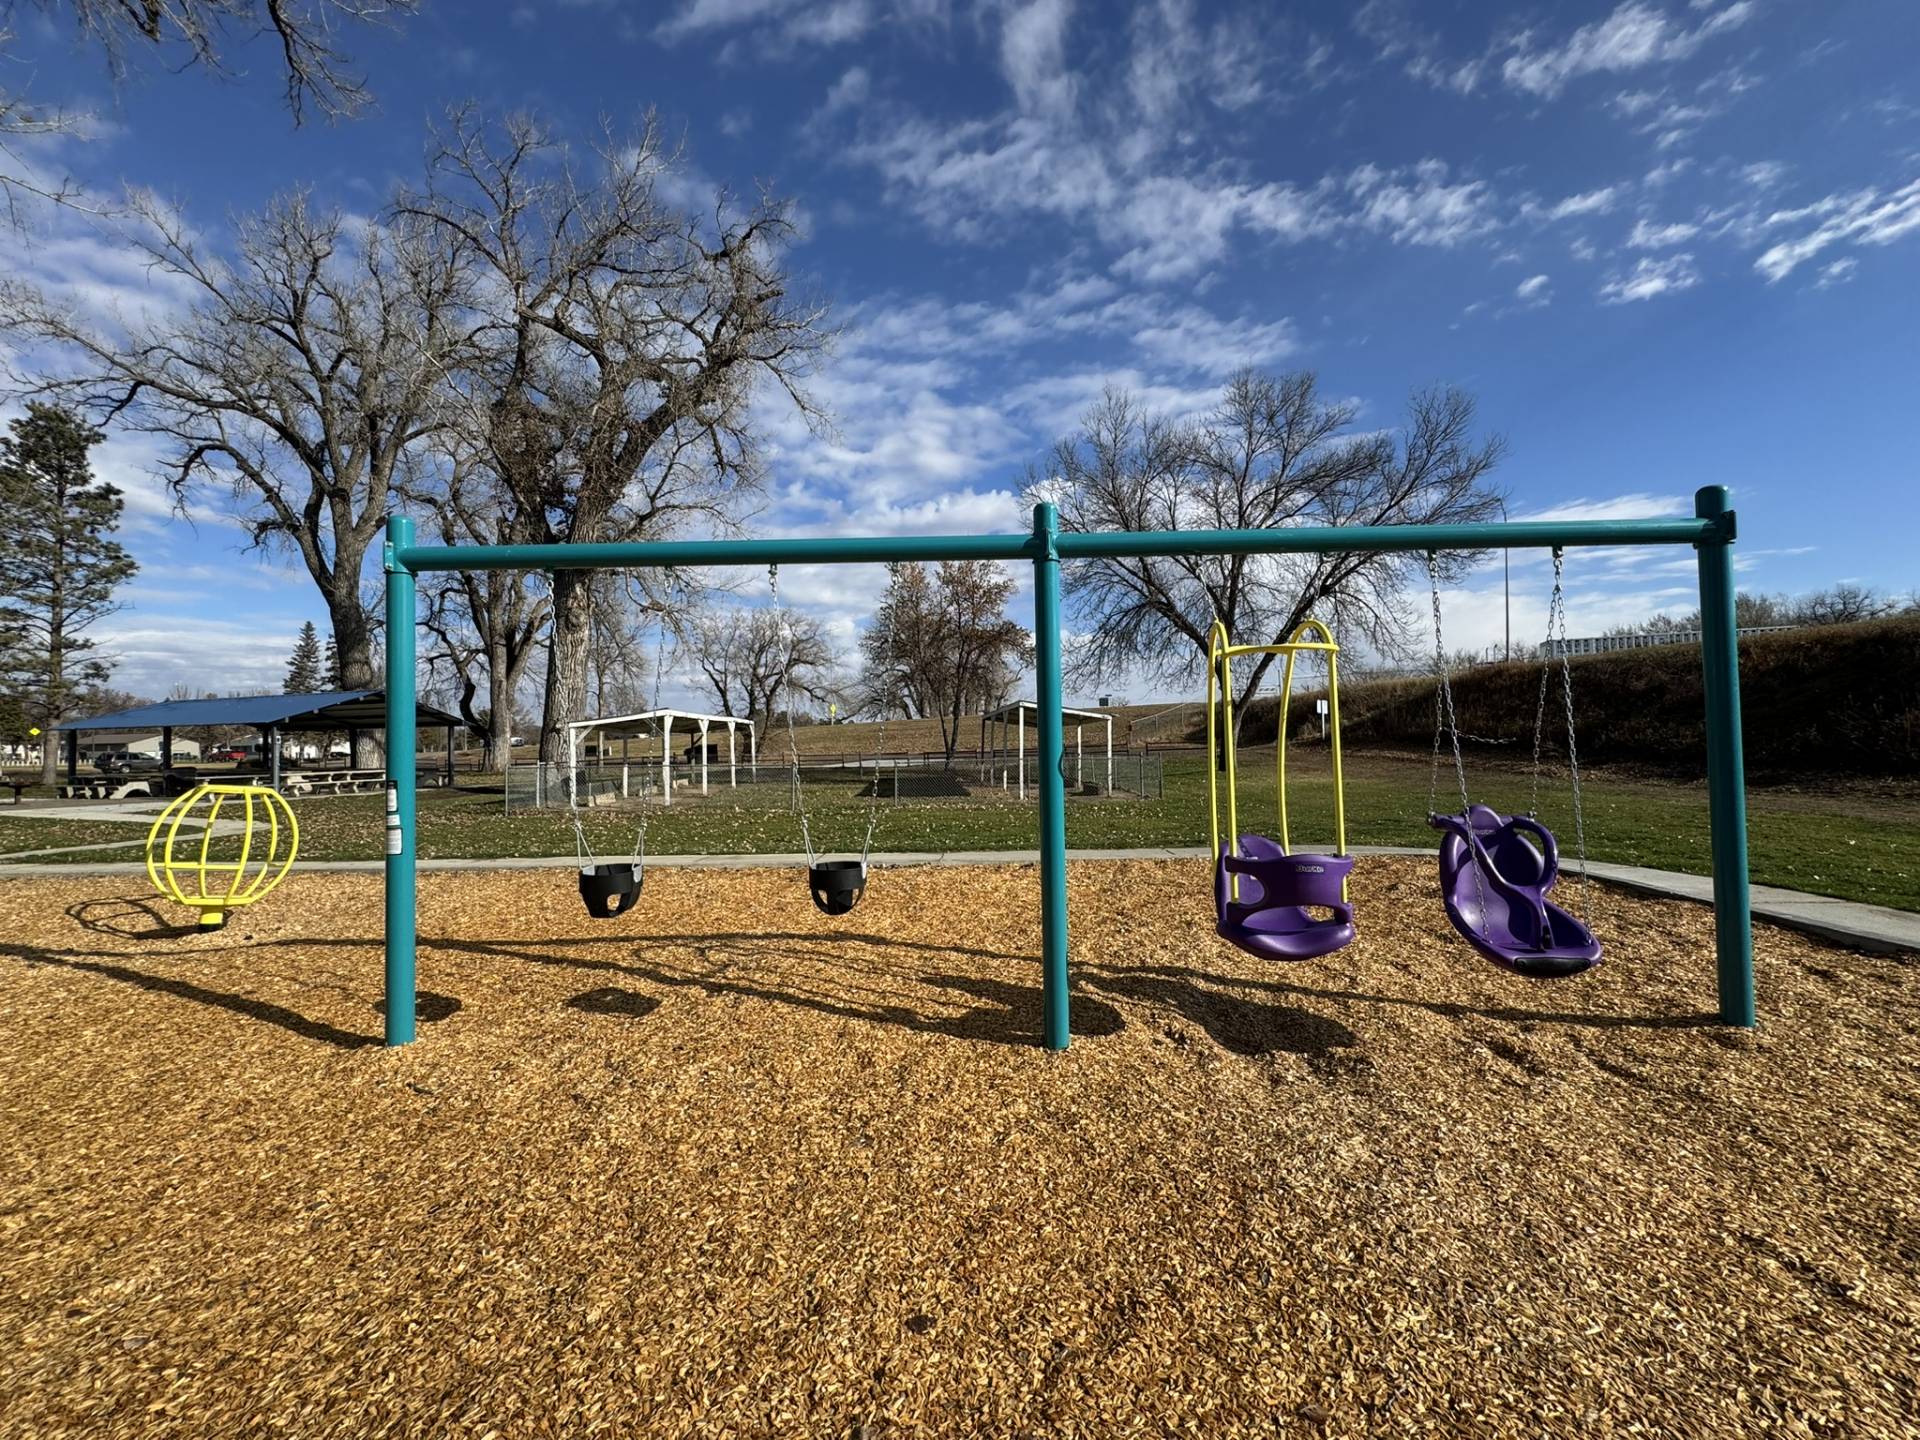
297 379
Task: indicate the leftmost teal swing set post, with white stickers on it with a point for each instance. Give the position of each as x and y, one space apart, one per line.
400 784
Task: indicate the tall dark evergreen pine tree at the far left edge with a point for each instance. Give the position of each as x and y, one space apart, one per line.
59 565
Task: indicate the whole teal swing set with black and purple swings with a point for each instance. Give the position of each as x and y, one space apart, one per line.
1495 869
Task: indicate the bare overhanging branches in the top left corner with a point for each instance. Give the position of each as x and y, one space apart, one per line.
189 34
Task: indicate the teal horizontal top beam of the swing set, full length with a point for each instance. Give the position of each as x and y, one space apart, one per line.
880 550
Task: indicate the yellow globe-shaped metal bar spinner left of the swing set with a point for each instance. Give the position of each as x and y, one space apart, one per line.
185 873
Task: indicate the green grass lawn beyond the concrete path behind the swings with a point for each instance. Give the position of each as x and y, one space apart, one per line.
1850 844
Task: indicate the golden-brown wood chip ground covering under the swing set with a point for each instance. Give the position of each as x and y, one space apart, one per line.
725 1168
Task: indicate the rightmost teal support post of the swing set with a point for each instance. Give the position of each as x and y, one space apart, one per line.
1727 769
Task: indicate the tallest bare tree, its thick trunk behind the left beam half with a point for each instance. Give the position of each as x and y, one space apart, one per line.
625 345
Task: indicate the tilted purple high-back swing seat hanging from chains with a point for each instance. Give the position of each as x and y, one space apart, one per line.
1495 878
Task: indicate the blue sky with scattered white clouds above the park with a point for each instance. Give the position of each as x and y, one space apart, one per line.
1666 243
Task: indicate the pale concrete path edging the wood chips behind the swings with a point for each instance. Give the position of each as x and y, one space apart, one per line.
1842 923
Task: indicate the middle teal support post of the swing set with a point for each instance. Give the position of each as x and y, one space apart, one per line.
1055 1009
